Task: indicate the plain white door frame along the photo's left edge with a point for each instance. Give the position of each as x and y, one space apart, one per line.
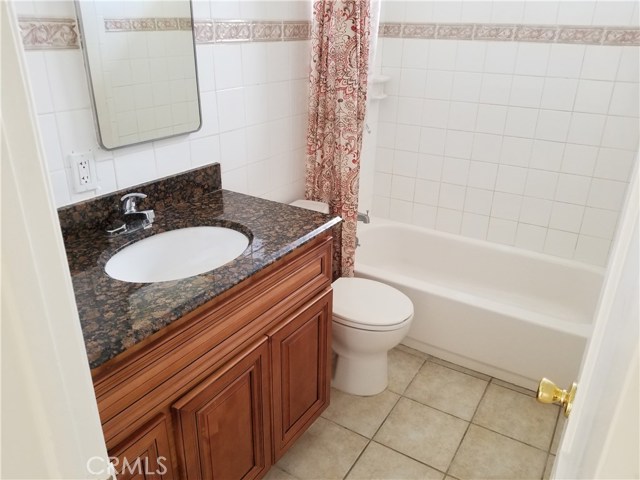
50 421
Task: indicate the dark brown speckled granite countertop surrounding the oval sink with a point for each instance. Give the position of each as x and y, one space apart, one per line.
116 315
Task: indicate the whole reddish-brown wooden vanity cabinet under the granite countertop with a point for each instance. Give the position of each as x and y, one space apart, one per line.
224 393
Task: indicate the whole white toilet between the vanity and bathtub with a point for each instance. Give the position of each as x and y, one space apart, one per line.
369 319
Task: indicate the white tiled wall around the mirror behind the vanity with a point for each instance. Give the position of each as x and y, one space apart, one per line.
253 100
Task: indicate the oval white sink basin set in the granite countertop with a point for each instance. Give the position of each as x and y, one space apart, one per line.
176 254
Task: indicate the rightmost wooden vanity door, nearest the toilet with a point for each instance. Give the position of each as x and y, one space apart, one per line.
301 374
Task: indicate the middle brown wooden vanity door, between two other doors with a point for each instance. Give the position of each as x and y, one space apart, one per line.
223 424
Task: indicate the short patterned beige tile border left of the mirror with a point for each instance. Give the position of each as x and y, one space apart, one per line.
49 33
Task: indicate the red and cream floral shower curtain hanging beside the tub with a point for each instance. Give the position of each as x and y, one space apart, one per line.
337 97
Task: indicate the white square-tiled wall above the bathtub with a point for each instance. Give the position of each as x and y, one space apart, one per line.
525 144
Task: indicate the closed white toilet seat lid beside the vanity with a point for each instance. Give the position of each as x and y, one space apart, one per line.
369 305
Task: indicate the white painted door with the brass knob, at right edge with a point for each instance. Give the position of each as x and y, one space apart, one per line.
601 439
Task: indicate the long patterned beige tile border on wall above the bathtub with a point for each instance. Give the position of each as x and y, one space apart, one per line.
596 35
